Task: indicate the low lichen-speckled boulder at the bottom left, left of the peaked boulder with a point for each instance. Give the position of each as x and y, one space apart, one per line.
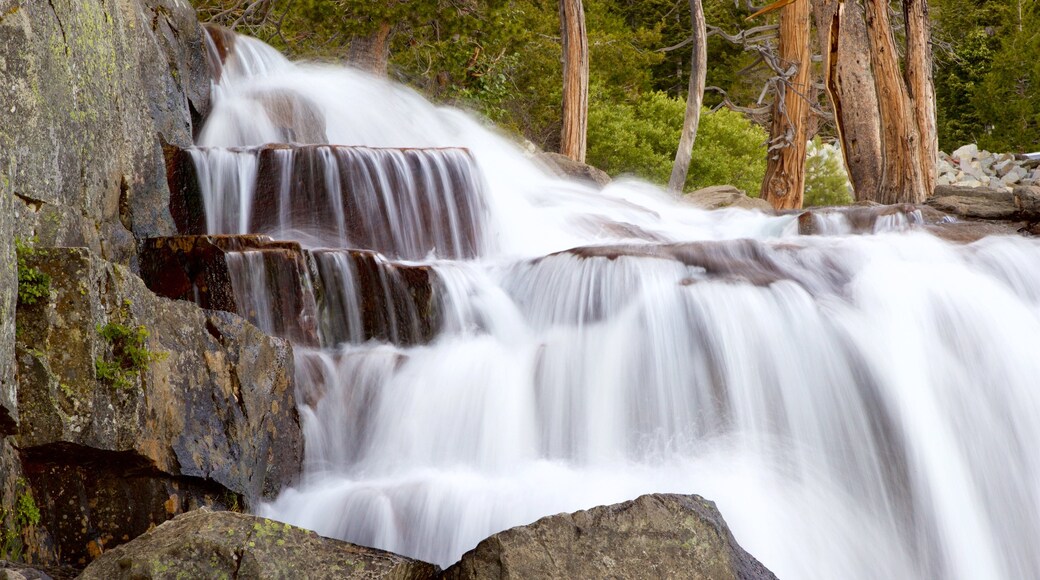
224 545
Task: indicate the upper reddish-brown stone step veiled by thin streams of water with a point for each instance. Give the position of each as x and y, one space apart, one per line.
403 203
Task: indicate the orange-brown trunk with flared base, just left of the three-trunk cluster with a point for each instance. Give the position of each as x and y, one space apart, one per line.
785 183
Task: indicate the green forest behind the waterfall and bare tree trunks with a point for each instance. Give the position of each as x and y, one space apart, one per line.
503 60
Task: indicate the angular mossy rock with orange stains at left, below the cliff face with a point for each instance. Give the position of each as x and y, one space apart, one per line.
135 408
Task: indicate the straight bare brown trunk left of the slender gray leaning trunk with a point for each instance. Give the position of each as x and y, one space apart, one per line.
573 143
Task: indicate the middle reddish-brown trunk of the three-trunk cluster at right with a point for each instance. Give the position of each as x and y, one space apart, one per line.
902 180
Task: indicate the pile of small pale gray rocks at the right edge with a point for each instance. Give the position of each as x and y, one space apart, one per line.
971 167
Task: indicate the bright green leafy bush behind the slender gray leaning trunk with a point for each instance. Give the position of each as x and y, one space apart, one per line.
641 140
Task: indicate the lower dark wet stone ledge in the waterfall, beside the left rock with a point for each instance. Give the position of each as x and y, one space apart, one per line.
314 298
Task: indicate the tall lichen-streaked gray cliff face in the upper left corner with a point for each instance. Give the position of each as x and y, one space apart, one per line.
91 91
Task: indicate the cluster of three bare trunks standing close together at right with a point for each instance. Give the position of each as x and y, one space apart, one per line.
886 118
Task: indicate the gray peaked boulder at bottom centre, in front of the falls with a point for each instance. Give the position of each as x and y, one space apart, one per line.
653 537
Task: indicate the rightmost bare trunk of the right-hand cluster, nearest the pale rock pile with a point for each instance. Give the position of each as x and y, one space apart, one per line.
919 77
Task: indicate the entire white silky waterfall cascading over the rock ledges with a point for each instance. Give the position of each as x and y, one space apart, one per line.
859 406
